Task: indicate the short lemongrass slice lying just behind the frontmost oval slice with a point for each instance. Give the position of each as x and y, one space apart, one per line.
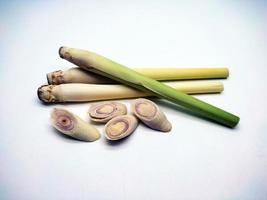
104 111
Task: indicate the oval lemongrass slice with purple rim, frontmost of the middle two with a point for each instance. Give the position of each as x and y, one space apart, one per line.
120 127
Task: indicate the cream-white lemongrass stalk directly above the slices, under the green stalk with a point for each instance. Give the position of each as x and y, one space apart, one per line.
79 92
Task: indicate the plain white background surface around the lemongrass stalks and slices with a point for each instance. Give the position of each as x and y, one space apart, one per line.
196 160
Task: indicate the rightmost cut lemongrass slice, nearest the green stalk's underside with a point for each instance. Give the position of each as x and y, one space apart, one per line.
150 114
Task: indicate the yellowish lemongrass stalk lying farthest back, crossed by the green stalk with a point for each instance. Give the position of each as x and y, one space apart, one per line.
78 75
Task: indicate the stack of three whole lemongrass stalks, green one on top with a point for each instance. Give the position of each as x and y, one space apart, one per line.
98 78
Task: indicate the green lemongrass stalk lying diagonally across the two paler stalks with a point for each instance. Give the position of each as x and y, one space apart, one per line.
103 66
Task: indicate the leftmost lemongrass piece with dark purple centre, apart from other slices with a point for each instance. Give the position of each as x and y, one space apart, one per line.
73 126
